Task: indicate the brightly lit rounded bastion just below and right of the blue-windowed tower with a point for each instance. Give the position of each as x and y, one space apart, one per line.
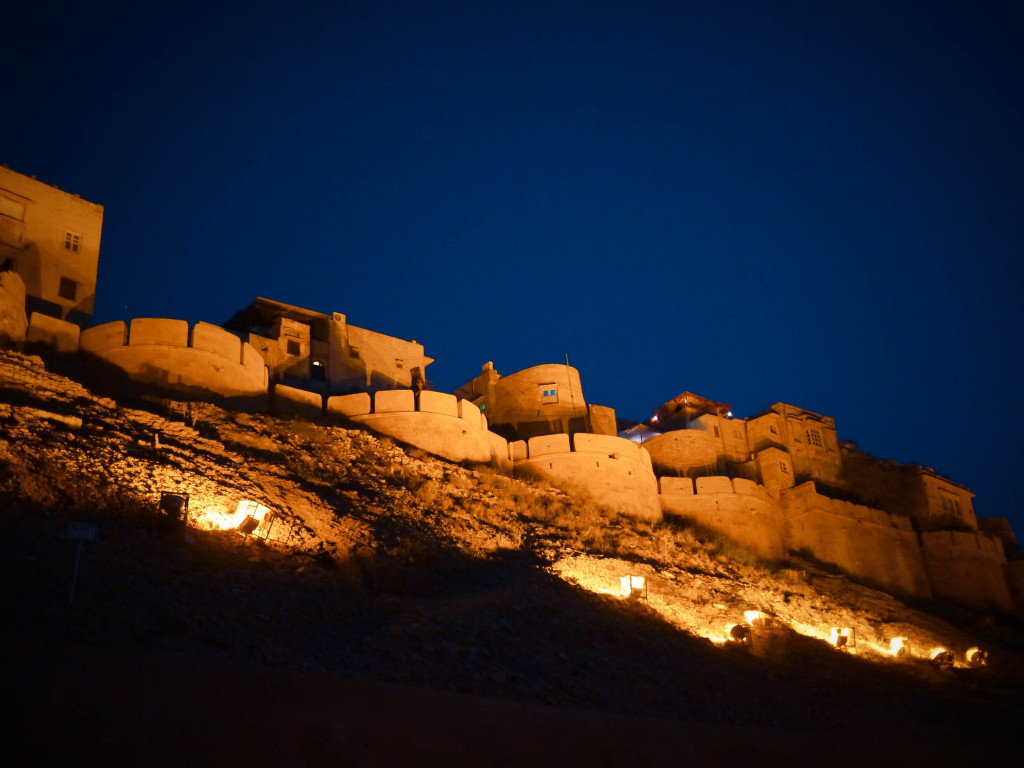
612 471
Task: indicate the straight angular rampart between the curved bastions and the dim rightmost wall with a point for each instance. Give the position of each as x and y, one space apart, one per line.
871 545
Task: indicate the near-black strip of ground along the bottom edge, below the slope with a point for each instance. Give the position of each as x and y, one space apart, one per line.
117 708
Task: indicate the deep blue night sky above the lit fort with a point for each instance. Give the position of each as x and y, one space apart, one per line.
757 202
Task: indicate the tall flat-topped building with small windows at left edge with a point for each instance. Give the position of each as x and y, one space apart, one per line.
52 240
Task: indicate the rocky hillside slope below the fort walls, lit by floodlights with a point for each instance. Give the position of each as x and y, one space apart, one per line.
386 565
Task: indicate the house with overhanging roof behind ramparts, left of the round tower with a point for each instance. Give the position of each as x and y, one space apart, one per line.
323 353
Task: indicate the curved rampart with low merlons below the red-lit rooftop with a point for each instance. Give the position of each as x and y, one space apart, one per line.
738 509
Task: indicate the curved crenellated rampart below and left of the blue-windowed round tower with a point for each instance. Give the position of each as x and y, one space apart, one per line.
439 423
